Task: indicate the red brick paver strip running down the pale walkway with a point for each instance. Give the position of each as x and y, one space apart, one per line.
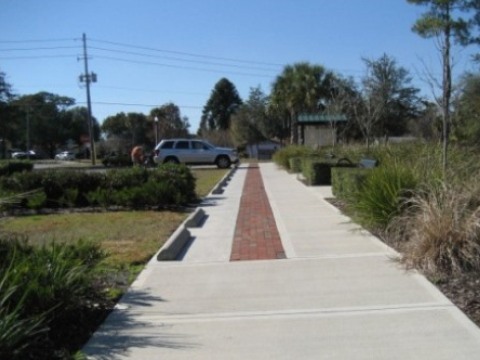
256 234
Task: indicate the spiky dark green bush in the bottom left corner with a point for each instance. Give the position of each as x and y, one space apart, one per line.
34 283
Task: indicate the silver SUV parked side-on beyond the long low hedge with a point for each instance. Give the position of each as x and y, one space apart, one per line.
194 152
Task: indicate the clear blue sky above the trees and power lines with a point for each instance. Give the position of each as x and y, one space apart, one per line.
150 52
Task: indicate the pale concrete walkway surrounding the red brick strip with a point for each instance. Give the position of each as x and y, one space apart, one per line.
337 295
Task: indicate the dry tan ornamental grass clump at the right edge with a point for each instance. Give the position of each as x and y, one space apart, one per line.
442 231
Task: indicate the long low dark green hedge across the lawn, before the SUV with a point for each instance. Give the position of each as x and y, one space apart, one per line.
166 185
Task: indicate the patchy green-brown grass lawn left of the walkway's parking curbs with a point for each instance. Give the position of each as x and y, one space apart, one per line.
129 237
